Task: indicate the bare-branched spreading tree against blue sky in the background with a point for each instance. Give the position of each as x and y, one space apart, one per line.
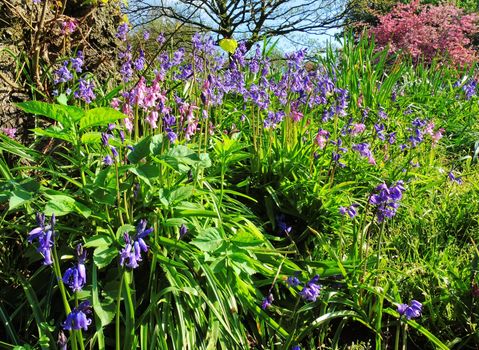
250 20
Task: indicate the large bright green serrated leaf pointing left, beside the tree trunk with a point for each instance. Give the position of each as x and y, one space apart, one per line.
66 115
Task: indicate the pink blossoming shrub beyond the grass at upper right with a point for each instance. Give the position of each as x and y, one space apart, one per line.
428 32
